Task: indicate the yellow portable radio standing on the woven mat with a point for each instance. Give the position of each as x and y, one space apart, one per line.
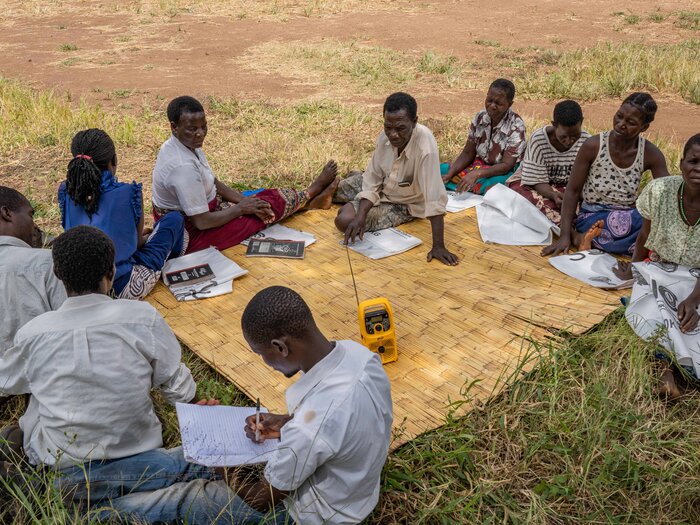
377 328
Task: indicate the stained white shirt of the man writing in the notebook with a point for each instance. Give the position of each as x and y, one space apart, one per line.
332 452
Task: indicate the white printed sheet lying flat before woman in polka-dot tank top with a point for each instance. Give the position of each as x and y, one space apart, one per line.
592 267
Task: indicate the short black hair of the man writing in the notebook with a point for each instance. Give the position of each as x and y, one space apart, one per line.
275 312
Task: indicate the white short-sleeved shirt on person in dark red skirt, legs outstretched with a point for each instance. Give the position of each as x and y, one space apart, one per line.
182 179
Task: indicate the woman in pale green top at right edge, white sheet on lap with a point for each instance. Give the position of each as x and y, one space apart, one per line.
670 238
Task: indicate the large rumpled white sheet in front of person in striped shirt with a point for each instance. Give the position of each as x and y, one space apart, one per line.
506 217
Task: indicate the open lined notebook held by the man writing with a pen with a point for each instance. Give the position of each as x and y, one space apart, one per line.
213 436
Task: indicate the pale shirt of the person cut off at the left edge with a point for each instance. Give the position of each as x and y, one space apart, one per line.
29 287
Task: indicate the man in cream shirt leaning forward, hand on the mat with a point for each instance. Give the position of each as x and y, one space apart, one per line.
402 181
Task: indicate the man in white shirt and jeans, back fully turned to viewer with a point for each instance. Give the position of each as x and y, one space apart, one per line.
89 367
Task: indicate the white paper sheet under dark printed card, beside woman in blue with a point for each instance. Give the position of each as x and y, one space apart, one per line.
225 270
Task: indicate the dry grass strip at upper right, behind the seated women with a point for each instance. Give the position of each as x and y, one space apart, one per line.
614 70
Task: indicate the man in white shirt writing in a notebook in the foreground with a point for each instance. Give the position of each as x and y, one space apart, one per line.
334 440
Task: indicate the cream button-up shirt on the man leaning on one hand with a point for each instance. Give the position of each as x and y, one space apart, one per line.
412 178
